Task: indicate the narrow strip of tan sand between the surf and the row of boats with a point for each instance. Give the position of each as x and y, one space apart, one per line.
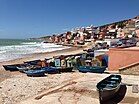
43 55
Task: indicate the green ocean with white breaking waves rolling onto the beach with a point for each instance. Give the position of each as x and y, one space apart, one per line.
11 49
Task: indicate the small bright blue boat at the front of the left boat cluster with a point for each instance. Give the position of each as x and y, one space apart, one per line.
35 73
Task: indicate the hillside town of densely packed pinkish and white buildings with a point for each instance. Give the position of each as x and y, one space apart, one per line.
118 30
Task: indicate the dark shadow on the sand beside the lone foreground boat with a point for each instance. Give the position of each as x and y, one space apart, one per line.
116 99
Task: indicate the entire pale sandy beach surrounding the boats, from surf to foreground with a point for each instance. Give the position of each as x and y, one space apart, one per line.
64 88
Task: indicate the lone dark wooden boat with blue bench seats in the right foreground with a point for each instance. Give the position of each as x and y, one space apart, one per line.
109 87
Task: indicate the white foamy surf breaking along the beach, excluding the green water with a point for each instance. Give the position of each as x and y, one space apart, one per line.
19 51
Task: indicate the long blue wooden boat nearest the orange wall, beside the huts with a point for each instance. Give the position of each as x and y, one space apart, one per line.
91 69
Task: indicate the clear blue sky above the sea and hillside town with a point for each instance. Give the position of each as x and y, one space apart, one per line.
37 18
